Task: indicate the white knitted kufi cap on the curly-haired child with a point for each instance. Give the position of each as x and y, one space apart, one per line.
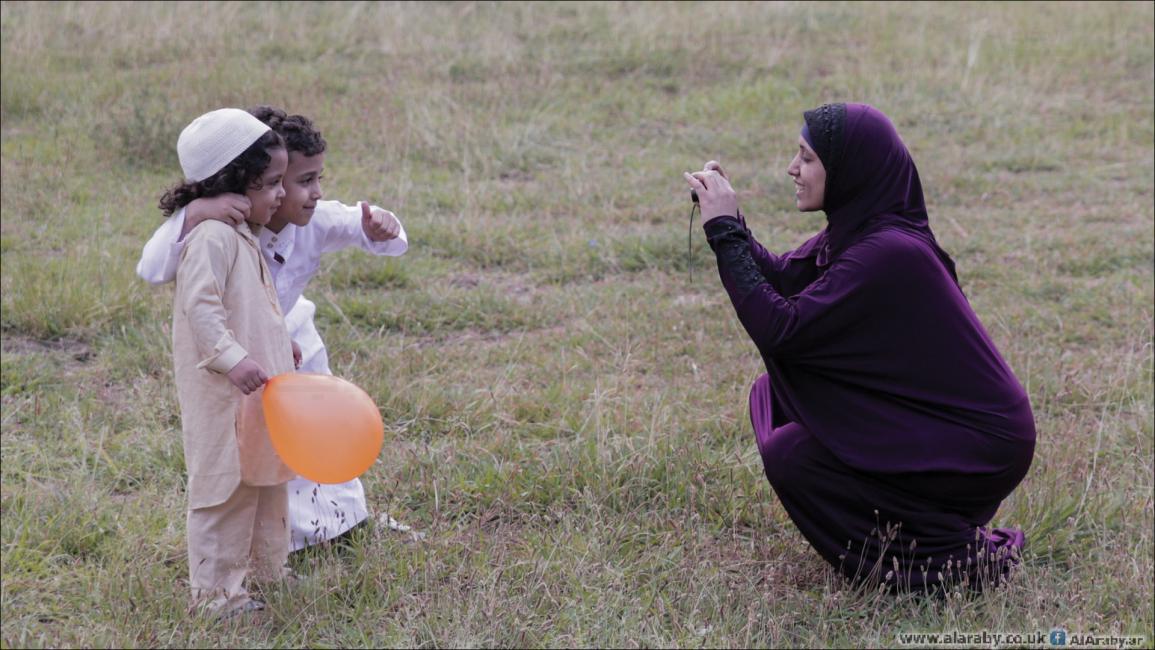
215 139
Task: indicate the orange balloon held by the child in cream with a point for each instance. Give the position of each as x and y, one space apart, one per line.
324 428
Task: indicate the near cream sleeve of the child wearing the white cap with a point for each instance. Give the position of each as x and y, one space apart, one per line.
202 278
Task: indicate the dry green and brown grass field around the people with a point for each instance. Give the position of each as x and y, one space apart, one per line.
565 410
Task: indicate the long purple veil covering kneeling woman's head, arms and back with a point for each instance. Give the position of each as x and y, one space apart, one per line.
868 340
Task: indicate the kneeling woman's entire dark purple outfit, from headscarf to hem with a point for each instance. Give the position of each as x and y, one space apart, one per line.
889 424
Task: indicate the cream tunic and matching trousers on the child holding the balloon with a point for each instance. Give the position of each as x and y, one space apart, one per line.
226 310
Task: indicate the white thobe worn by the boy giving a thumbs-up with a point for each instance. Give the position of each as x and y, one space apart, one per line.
317 512
